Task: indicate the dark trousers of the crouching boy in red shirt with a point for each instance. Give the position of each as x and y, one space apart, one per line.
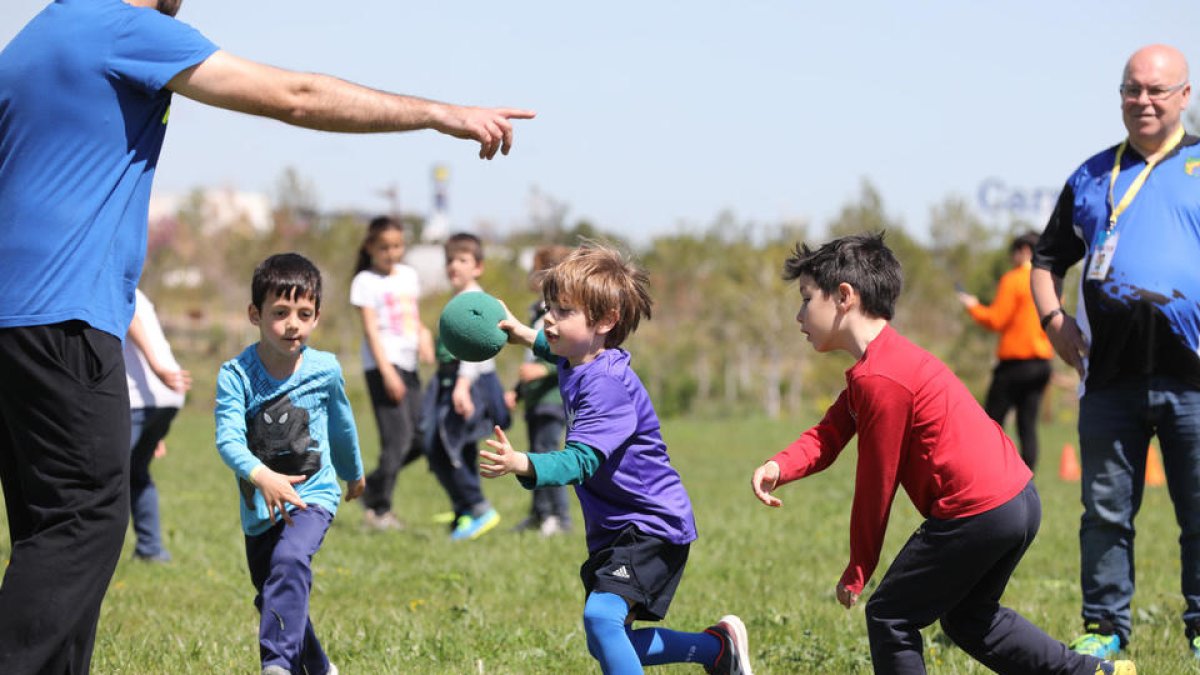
956 571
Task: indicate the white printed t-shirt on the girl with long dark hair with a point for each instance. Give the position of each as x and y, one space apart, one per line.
394 300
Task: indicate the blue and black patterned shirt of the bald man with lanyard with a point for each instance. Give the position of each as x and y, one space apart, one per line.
1143 319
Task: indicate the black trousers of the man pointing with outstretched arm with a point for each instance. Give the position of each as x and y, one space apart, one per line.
64 463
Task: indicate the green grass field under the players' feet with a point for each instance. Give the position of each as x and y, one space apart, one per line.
413 602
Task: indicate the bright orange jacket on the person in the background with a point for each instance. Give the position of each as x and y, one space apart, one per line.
1015 316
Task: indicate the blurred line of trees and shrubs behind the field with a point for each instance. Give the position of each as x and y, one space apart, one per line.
723 339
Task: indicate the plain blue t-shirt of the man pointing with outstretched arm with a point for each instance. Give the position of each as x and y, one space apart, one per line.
83 114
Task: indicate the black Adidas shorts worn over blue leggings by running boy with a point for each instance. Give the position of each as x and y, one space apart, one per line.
644 570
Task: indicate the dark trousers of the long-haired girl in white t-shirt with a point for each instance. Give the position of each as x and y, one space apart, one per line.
399 437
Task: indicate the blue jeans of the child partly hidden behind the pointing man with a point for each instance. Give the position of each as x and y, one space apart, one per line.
147 428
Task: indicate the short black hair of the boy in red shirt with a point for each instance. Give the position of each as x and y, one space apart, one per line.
862 261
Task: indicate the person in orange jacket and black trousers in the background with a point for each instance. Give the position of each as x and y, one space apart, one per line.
1024 351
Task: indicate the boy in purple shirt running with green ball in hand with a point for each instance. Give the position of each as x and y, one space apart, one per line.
638 515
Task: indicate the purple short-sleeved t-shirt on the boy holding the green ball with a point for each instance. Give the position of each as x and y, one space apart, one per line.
609 409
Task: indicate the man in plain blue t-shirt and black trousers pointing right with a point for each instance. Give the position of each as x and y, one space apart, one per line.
85 103
